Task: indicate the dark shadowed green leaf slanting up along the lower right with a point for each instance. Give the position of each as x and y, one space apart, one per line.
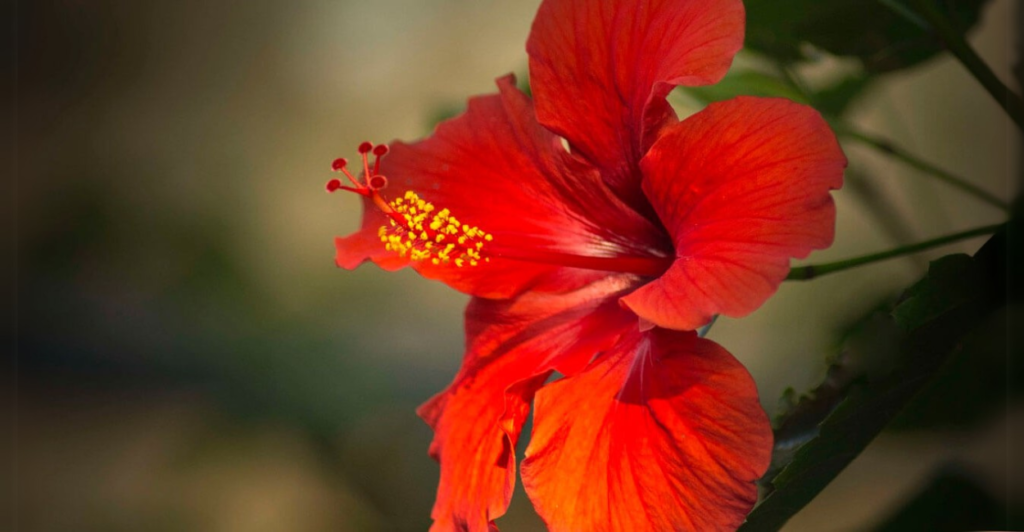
935 317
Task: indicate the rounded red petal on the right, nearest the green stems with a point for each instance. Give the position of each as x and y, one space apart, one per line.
742 187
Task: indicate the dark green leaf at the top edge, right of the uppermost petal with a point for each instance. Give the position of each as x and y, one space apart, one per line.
883 34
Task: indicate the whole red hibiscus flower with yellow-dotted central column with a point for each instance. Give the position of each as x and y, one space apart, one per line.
599 261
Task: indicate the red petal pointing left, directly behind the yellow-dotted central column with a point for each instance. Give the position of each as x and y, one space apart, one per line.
497 169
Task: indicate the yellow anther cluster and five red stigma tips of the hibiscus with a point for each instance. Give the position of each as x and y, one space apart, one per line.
416 229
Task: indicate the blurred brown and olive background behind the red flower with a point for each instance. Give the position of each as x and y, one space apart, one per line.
190 359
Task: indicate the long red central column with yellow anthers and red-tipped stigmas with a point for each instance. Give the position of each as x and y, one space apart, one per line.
418 231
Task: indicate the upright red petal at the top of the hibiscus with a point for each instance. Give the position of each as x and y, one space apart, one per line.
601 71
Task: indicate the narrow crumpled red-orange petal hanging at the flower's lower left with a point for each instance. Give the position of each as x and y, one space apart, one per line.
514 345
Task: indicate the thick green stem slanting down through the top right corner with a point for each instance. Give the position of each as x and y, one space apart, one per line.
954 41
